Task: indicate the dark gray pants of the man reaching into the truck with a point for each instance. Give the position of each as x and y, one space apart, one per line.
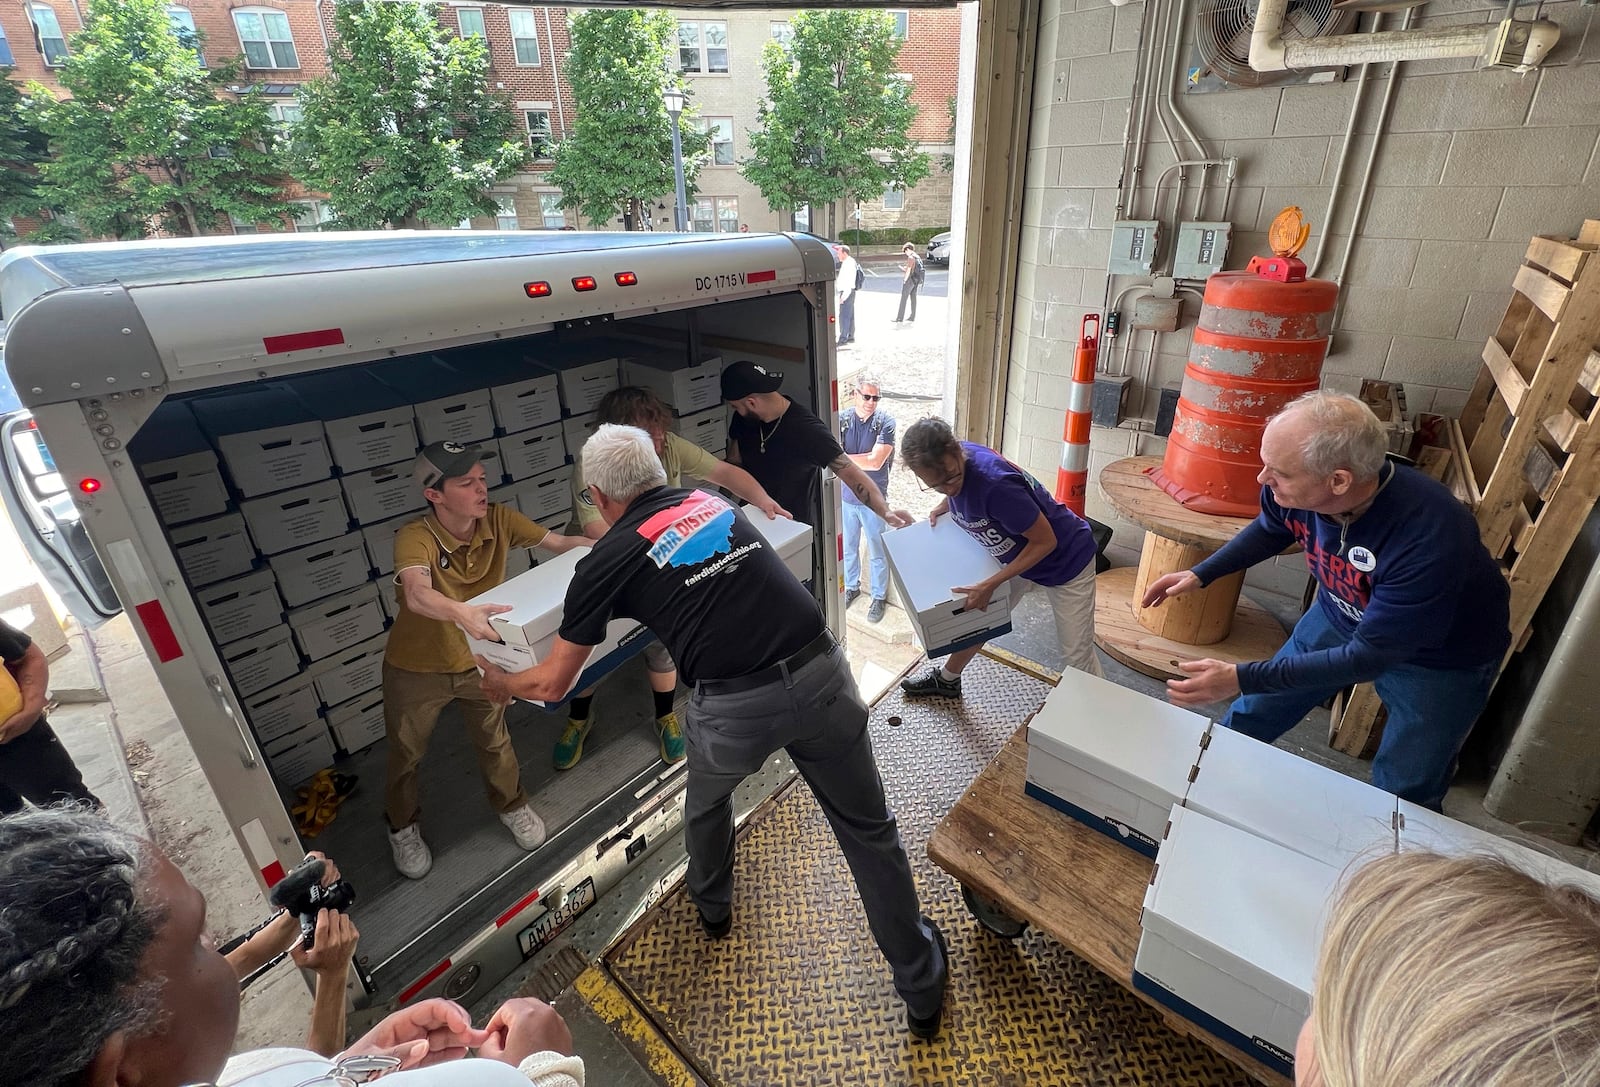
818 718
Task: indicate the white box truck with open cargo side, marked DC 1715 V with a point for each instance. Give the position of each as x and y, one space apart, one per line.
103 335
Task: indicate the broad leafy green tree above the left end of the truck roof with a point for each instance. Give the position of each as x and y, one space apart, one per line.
148 138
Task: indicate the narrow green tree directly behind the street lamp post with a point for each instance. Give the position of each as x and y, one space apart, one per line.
618 154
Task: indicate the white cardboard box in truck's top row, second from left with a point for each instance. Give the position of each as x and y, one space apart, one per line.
268 439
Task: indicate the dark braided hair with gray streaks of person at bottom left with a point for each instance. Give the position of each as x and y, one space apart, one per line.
73 933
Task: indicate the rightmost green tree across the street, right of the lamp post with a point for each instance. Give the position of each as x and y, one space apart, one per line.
838 118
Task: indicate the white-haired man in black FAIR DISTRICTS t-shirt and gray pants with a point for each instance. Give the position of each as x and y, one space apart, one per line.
767 675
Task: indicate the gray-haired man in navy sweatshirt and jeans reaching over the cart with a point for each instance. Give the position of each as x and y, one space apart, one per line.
1409 598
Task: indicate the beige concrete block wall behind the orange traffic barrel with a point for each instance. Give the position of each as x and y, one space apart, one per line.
1470 167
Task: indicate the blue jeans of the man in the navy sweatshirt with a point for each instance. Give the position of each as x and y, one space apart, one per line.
1431 712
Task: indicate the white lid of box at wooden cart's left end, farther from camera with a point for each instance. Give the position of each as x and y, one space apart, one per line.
1138 744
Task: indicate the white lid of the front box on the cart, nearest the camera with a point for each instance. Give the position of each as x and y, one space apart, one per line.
1246 905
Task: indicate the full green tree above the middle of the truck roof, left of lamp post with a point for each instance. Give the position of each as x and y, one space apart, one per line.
406 130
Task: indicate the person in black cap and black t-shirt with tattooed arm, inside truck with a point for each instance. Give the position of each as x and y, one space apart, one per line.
783 446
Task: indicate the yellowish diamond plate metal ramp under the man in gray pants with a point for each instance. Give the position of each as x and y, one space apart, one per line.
799 995
